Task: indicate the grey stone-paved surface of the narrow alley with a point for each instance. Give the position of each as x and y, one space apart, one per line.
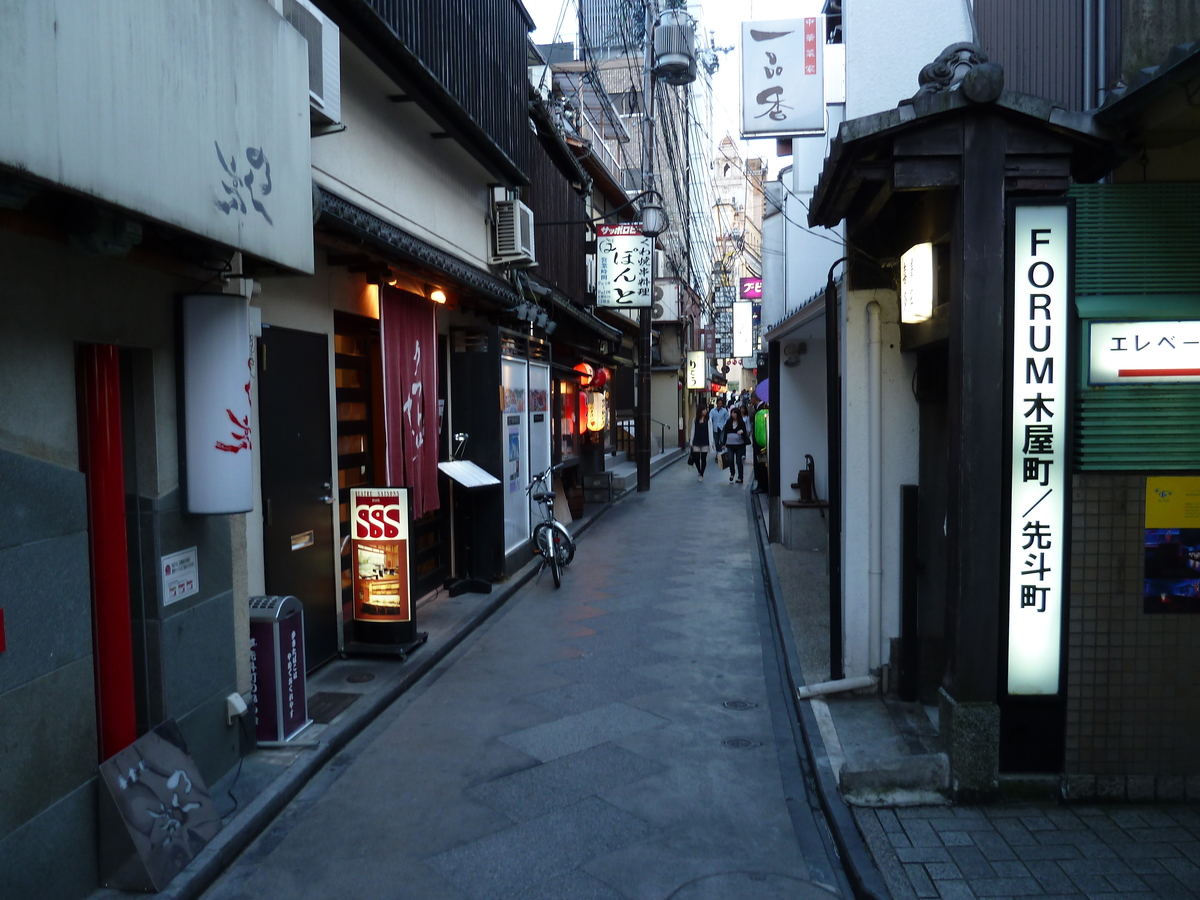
622 737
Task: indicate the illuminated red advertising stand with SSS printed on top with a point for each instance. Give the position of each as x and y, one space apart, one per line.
381 573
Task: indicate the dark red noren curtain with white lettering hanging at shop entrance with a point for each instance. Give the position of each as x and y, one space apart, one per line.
410 335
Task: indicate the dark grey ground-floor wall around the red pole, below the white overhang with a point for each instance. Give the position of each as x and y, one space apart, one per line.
52 299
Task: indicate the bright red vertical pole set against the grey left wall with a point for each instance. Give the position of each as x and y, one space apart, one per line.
103 461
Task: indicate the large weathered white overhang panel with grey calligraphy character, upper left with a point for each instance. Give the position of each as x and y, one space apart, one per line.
130 103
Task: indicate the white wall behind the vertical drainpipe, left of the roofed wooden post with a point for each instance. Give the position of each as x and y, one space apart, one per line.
899 452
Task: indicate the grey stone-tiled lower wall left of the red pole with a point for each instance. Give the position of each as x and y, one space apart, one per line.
47 710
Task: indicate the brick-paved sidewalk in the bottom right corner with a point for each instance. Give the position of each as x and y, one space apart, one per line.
1036 850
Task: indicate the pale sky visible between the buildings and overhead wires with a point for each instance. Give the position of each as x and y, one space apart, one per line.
722 17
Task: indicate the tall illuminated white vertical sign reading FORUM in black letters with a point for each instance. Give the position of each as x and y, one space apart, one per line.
1040 411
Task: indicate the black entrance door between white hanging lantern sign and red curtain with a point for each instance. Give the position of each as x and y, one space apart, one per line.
297 465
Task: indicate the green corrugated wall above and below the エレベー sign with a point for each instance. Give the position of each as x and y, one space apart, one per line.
1138 241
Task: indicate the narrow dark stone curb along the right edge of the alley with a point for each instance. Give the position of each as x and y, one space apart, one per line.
861 869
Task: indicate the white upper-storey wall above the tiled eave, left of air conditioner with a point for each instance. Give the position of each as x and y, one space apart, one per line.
388 164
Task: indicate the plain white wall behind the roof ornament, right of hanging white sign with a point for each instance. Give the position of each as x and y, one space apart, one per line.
887 45
